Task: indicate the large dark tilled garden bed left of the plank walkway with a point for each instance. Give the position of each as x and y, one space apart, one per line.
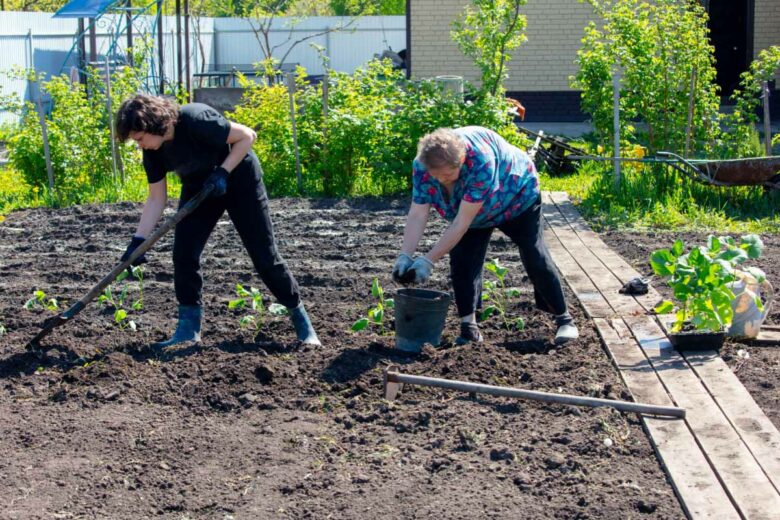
103 428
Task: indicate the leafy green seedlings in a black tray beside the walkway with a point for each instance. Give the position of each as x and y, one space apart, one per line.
702 281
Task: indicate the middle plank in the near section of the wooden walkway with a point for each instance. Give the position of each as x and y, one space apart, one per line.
744 479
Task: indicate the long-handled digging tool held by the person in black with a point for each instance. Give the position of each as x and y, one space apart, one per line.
77 307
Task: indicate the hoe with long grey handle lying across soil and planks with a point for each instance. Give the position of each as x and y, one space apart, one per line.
393 380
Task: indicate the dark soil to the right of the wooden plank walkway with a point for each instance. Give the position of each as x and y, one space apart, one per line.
760 372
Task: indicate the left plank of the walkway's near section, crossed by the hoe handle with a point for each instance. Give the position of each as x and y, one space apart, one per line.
698 489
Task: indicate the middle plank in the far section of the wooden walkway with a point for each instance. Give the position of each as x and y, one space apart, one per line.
601 277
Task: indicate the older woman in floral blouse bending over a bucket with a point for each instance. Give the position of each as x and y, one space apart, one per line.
478 182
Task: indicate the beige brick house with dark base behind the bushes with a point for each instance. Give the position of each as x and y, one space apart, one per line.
539 71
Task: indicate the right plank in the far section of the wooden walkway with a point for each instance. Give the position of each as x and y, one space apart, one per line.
614 262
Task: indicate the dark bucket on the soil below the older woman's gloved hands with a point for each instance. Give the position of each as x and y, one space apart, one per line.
419 318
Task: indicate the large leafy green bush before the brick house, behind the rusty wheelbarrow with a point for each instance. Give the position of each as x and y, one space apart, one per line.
663 52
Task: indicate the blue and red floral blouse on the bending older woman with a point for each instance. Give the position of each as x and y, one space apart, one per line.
495 173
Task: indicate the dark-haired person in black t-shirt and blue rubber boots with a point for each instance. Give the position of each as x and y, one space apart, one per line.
205 149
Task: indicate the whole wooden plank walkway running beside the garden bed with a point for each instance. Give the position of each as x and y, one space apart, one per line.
724 459
